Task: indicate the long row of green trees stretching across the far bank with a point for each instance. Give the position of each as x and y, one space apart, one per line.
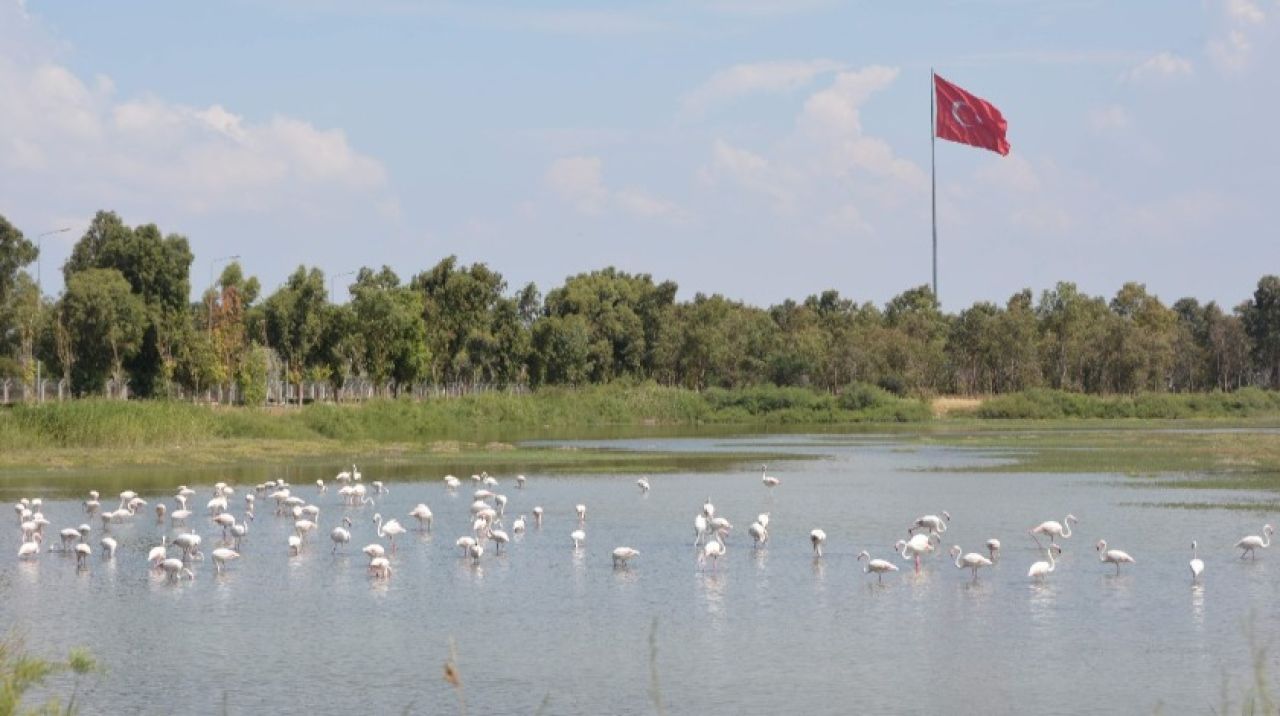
126 318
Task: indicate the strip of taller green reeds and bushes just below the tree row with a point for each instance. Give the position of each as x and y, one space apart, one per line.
88 425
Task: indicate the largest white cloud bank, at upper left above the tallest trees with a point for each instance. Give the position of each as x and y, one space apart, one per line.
79 138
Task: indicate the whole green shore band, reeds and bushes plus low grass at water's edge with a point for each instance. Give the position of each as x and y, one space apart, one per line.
106 434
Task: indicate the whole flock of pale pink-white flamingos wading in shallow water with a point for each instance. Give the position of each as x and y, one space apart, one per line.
175 559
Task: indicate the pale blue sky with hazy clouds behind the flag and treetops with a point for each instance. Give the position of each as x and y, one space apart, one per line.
760 149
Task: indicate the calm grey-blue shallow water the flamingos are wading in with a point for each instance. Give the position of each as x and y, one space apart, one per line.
774 631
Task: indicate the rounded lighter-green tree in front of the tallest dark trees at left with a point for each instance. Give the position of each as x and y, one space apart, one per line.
107 321
